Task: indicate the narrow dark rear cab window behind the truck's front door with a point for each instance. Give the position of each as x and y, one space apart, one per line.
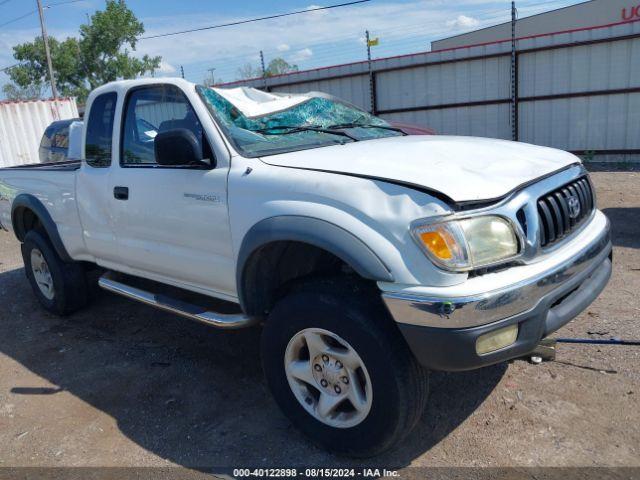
100 130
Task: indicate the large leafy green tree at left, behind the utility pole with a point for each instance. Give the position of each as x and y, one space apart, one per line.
100 55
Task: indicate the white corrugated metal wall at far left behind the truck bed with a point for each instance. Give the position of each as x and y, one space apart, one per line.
22 125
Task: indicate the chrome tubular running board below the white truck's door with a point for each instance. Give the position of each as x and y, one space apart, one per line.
163 302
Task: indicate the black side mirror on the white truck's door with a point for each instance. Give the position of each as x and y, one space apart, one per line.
177 147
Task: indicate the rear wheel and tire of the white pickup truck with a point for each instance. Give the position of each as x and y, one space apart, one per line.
64 290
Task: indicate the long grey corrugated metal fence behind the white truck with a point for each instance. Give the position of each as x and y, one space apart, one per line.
577 90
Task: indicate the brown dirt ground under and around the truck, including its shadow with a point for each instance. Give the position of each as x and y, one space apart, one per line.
121 384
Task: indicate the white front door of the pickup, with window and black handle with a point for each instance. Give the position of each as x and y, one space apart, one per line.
171 222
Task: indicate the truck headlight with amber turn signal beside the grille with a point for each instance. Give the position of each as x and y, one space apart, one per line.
467 244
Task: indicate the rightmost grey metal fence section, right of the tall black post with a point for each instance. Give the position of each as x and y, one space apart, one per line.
581 97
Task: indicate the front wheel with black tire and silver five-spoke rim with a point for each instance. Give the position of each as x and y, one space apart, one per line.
353 317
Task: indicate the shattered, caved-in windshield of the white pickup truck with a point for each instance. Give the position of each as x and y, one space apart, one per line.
302 122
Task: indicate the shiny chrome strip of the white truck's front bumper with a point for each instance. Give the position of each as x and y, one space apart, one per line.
466 312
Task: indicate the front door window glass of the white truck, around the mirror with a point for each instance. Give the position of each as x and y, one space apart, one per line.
153 110
